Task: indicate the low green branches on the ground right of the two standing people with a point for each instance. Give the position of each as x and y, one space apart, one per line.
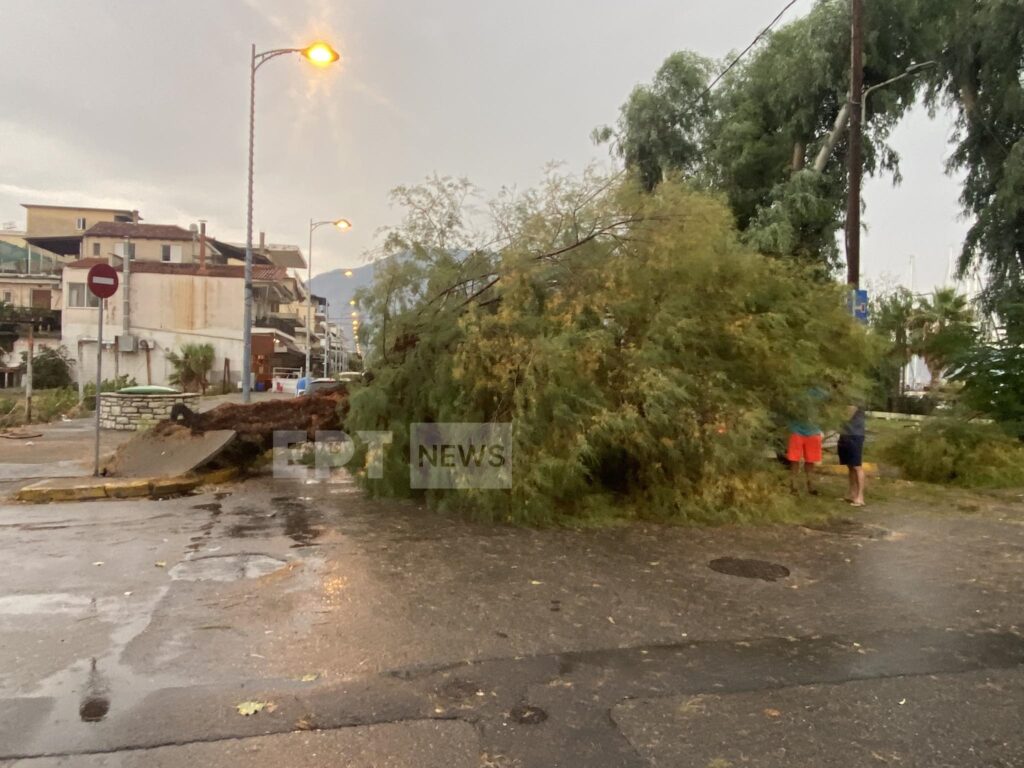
959 453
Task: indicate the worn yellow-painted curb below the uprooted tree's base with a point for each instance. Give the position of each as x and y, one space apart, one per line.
84 490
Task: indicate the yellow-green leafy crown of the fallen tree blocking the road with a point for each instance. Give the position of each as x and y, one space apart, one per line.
642 353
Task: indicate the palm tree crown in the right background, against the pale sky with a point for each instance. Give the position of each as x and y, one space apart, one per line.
943 329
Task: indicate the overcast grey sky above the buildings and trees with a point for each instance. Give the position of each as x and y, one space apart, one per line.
144 105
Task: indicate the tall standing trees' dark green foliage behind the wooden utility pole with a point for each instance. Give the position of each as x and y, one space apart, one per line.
772 135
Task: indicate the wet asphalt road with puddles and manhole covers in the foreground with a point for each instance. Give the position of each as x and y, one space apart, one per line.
379 634
